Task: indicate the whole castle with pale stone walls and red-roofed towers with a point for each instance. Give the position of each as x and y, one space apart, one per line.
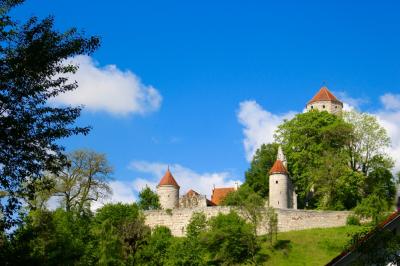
177 210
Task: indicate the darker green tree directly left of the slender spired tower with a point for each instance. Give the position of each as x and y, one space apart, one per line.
257 176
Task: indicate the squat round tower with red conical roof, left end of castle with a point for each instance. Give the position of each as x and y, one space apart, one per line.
168 191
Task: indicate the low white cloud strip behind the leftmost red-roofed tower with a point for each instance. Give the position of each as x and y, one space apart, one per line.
185 177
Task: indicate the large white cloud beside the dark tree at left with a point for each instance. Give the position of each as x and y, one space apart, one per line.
109 89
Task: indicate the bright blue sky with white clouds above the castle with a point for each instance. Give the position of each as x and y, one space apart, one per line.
209 76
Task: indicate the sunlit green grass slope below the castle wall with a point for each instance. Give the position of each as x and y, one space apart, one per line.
308 247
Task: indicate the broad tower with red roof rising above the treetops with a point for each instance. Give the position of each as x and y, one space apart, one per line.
324 100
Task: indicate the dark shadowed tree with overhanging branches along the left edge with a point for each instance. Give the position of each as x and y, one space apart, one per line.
33 71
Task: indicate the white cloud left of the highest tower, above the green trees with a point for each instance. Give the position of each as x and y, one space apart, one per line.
259 125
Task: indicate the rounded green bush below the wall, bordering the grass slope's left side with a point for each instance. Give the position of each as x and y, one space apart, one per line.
230 240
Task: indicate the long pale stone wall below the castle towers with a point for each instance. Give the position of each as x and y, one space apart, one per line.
288 219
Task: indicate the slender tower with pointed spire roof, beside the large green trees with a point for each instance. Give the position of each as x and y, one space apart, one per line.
281 190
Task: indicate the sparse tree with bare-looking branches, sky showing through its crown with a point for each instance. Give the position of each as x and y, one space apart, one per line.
83 180
